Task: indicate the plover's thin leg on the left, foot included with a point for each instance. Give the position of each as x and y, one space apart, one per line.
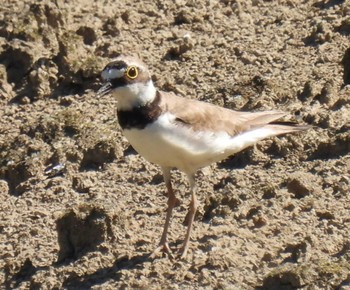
172 202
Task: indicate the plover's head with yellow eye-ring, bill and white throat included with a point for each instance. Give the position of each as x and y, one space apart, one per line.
129 81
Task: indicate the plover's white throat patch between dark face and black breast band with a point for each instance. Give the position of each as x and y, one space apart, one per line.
134 95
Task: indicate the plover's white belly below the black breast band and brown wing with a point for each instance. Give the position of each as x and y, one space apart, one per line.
169 144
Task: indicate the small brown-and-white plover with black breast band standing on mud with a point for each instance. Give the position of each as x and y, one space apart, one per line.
181 133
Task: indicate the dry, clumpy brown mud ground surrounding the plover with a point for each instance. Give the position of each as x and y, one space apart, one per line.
81 210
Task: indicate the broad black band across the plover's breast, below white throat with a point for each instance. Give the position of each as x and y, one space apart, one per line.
140 117
